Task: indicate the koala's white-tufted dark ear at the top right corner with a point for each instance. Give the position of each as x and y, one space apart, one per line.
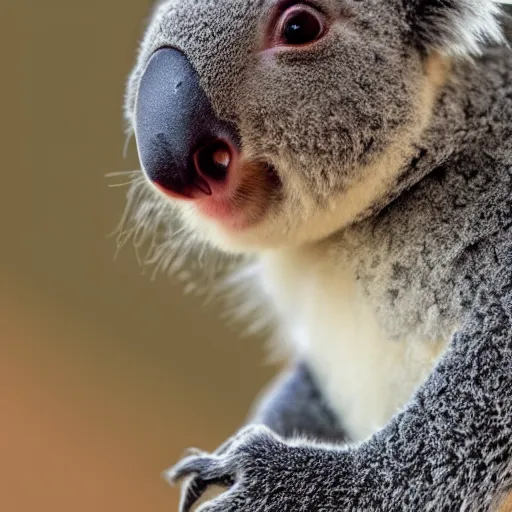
454 27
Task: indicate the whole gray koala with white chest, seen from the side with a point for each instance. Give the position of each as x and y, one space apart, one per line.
355 158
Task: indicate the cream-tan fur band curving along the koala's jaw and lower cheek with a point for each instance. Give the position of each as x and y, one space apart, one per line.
301 215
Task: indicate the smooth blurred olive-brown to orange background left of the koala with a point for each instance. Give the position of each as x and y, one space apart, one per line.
105 376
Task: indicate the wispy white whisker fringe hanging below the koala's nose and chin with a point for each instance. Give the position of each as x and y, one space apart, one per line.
163 244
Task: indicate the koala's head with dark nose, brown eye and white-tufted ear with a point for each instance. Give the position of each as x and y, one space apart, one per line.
272 123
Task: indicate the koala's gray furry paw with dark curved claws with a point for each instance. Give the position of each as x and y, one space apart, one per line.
257 467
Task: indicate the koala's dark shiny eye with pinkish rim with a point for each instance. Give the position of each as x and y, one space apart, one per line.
299 25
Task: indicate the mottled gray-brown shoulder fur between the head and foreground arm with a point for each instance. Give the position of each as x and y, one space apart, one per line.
420 254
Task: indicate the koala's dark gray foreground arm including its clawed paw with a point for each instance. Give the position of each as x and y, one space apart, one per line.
450 449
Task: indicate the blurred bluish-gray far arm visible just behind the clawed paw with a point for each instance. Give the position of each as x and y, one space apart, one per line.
295 406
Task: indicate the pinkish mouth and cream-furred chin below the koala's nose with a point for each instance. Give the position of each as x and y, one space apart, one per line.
265 207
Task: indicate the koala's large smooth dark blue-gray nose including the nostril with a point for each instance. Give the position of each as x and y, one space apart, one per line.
183 146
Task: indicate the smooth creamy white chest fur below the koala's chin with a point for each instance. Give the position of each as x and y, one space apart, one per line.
366 376
